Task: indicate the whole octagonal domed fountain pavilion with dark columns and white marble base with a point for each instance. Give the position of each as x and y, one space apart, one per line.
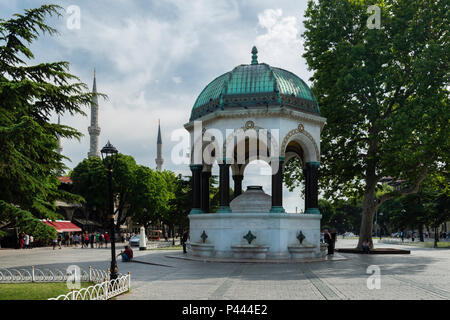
254 112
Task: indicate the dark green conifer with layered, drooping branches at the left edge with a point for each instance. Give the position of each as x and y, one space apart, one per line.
29 95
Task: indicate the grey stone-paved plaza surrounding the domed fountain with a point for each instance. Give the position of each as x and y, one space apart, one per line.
421 275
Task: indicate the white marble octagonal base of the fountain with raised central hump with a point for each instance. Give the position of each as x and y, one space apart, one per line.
273 233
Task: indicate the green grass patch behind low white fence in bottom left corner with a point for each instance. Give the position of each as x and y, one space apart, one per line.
35 291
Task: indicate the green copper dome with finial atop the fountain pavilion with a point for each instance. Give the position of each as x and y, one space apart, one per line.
253 85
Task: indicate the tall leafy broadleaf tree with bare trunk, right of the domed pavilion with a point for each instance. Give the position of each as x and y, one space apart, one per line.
384 94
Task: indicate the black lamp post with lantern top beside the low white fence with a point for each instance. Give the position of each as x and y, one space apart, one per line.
110 153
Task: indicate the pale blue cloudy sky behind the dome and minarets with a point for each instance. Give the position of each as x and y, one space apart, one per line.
153 58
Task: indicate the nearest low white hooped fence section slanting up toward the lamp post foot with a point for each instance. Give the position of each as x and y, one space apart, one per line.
101 291
